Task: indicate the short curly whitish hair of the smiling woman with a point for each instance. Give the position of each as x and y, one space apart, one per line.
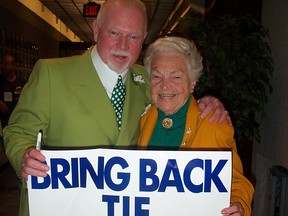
176 44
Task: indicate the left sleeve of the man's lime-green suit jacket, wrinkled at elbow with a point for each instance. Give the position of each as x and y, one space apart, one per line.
24 123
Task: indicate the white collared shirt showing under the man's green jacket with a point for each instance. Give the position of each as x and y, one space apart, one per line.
107 76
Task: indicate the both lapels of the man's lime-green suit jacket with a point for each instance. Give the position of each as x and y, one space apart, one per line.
91 92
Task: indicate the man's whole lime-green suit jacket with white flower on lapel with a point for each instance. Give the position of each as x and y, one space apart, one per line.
66 99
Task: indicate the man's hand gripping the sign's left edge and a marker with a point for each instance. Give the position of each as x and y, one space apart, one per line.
32 164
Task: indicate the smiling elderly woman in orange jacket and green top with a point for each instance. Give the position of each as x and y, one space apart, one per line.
174 66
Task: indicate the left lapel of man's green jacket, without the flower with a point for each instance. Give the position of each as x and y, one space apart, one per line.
90 90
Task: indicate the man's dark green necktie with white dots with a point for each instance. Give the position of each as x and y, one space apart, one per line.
117 99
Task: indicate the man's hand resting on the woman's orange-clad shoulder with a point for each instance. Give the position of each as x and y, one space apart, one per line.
211 104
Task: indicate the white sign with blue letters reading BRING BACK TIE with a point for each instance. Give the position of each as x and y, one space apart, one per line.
109 182
